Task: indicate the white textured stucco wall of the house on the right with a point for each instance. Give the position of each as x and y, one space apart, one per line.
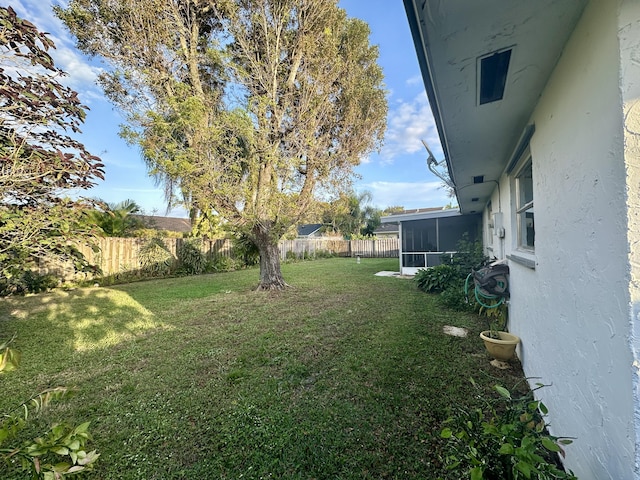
572 310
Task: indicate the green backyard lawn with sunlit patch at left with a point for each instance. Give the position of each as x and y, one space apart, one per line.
344 376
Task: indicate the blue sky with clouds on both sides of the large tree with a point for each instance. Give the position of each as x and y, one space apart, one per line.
397 175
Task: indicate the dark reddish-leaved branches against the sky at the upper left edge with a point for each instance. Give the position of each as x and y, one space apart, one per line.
38 159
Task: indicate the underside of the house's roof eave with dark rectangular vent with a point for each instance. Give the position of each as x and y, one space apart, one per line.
455 42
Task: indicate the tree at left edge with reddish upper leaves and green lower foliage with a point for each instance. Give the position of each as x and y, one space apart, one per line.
39 161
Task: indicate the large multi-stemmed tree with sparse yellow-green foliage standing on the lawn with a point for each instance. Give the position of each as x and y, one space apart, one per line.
246 108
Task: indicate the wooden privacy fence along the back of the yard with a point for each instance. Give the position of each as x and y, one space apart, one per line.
118 255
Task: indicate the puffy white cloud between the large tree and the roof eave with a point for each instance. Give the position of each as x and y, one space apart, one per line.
408 123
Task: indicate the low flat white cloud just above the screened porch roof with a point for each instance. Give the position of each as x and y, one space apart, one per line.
407 194
